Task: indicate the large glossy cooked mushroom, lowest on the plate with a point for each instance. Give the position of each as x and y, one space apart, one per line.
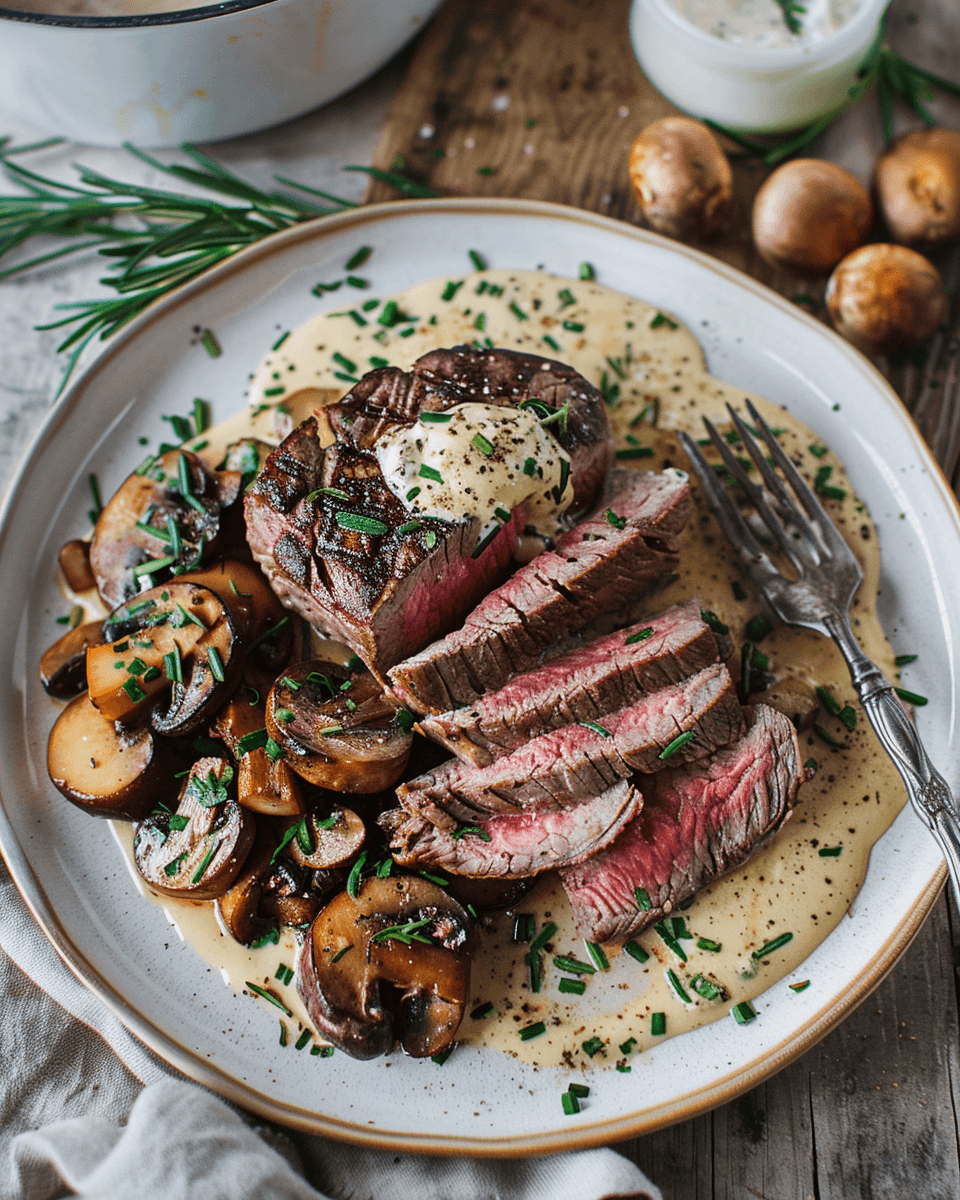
388 967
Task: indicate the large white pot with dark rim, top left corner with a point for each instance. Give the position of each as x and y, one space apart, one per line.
160 73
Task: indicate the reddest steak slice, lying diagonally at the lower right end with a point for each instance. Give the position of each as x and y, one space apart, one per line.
698 824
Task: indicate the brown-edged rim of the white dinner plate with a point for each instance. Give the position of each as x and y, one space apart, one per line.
586 1136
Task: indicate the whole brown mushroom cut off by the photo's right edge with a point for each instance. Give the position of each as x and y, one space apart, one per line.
917 183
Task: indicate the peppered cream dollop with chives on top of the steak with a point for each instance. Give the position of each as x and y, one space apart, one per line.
478 461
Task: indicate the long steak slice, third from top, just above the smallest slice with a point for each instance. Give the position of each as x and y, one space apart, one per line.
691 719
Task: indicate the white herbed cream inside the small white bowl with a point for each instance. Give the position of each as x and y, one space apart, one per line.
765 23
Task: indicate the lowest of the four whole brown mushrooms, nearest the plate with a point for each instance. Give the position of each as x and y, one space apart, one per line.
885 298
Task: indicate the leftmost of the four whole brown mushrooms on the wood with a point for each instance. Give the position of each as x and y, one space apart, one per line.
682 178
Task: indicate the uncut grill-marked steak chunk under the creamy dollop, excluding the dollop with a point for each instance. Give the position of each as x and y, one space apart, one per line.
389 593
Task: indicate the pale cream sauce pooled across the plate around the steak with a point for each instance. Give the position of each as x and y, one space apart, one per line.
653 374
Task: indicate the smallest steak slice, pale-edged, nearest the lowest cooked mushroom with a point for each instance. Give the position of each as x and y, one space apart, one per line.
518 844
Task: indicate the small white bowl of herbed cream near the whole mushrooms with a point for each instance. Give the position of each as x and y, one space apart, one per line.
747 64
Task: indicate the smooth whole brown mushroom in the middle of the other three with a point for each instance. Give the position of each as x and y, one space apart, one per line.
809 214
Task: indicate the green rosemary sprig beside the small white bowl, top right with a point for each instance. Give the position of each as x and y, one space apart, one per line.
881 67
